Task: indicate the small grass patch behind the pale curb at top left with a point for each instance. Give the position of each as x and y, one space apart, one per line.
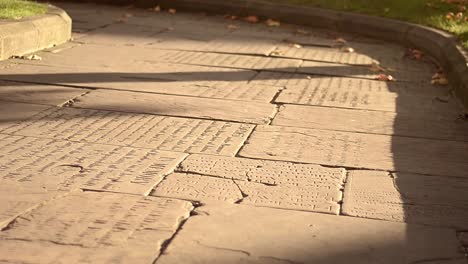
17 9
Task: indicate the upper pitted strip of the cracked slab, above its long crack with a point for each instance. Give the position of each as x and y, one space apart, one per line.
264 171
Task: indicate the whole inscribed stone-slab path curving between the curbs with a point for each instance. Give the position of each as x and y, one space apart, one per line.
159 138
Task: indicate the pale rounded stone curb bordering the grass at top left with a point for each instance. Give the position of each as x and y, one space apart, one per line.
32 34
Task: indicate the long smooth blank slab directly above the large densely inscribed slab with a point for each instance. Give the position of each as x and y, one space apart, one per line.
252 112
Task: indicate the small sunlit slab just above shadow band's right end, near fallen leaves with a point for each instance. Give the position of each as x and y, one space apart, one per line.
324 54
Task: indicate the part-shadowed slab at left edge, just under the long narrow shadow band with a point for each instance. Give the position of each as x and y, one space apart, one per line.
37 94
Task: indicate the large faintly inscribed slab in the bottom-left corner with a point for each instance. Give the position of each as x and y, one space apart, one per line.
94 227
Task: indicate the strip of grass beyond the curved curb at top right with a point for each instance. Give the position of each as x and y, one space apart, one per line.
434 13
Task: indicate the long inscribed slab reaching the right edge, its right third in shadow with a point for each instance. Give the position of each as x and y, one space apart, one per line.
357 150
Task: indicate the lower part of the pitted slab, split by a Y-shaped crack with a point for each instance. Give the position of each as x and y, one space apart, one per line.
207 189
